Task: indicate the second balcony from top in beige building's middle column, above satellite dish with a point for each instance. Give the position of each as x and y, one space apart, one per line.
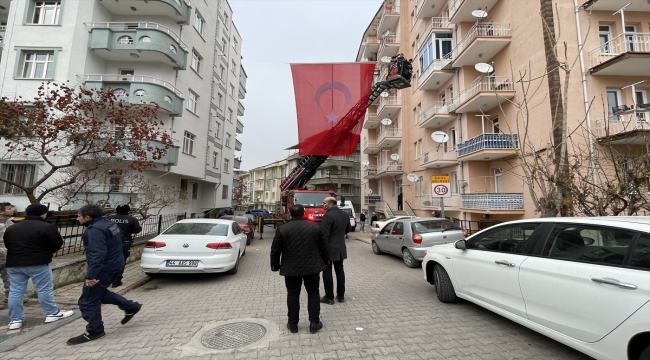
481 41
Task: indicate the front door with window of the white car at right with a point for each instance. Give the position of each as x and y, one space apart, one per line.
489 269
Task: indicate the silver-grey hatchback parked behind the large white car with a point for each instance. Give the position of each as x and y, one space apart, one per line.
410 237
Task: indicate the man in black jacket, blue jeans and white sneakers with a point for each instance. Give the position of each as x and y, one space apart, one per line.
30 245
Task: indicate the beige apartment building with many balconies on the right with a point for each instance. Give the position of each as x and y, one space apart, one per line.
481 112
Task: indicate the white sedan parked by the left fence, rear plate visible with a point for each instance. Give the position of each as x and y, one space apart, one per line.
195 246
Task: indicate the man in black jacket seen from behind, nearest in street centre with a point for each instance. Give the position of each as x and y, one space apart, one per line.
299 253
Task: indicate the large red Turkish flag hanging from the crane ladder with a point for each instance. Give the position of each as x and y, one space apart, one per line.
331 100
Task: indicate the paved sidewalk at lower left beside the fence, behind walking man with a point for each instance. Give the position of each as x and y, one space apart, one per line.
66 298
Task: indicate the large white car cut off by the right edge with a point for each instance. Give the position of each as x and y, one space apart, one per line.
584 282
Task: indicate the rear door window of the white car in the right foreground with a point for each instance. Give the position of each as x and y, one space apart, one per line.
588 243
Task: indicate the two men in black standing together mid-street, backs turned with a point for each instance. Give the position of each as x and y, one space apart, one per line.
301 250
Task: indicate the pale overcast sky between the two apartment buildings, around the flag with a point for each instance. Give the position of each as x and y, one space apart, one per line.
274 34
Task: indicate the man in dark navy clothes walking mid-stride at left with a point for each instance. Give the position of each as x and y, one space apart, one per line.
103 243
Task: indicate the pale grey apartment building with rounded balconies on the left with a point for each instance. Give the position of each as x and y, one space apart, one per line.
185 56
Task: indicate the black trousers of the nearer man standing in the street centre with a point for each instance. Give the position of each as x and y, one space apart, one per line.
294 285
